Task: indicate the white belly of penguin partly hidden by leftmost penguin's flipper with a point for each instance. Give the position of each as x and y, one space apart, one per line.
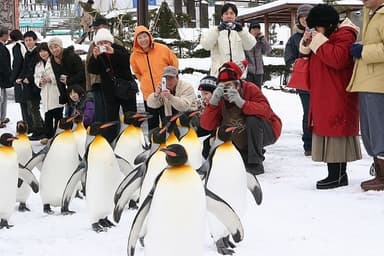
23 149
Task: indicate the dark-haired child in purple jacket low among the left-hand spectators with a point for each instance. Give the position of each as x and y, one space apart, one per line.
81 103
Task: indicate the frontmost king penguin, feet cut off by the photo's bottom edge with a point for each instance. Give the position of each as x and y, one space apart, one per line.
175 211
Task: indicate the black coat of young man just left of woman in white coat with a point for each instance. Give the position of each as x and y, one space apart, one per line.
29 91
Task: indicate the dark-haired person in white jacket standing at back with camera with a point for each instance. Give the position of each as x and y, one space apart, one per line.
228 41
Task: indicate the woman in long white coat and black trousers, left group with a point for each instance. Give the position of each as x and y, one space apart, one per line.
45 79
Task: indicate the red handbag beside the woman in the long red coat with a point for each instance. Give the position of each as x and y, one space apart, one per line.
300 74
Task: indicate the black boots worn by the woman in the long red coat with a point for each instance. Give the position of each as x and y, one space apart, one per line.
337 176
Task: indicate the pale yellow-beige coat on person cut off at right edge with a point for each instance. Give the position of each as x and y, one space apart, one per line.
368 72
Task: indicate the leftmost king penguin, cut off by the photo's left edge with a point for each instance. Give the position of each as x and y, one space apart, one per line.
9 178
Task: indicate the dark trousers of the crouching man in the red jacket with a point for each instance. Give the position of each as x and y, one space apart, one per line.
259 135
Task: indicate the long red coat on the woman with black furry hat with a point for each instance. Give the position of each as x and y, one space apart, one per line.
333 110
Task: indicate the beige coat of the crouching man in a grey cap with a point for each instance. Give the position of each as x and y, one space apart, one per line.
182 100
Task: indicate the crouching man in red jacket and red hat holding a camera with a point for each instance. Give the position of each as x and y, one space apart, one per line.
237 102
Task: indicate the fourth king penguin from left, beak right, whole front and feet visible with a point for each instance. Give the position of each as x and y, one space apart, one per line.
103 175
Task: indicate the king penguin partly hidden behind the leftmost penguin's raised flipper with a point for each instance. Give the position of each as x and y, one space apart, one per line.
23 149
